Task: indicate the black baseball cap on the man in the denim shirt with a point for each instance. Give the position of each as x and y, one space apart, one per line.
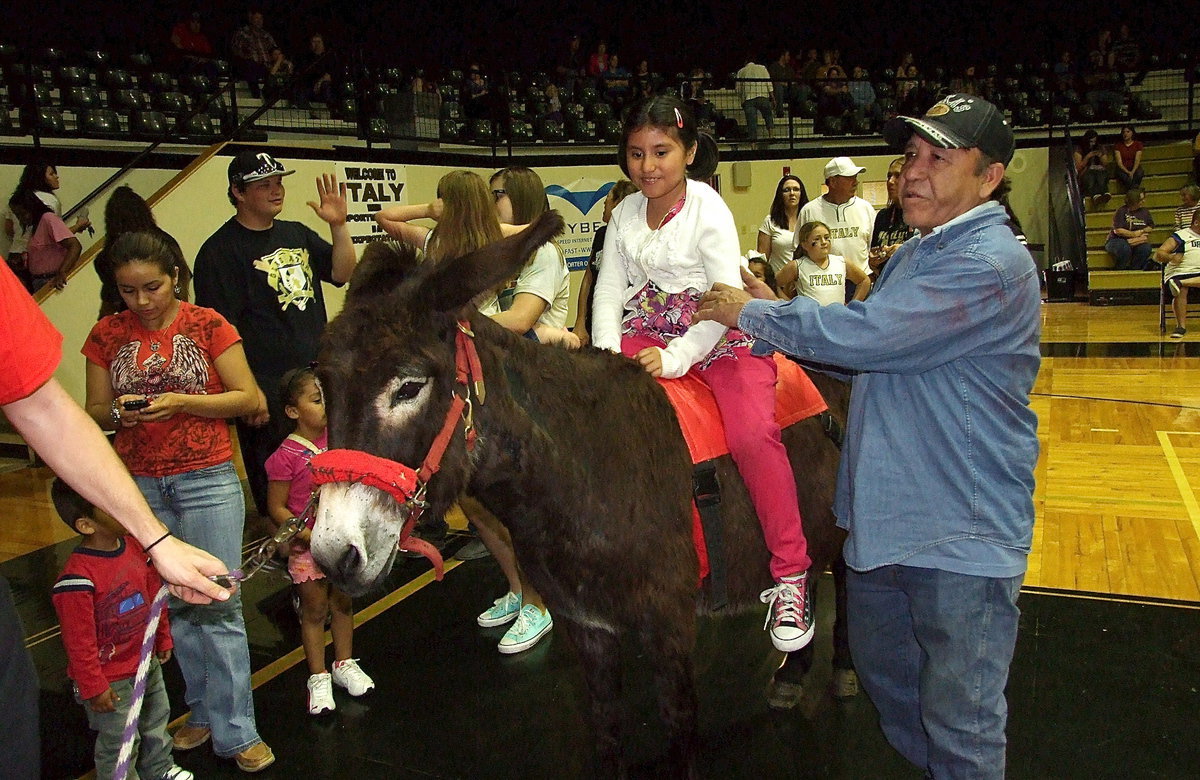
958 122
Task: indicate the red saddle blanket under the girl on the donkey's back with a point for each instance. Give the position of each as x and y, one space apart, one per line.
796 399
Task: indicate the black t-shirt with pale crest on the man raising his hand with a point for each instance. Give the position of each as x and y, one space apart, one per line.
267 284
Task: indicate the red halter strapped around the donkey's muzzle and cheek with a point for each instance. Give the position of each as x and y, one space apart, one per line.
407 487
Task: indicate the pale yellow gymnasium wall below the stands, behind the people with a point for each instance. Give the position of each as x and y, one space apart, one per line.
197 206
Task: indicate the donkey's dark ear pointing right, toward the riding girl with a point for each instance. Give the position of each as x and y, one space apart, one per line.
454 284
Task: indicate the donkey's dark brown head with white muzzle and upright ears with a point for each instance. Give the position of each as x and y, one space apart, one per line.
388 371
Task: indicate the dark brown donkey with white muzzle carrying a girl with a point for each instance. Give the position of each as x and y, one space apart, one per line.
579 455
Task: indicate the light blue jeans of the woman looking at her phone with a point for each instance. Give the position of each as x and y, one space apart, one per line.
207 508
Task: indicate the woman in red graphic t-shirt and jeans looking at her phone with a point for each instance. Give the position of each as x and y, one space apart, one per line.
166 375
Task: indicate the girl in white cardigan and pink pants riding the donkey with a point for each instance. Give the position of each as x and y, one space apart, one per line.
667 245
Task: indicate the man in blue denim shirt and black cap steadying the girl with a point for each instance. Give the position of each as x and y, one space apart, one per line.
937 478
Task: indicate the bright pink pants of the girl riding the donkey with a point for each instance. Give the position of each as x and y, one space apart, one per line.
746 392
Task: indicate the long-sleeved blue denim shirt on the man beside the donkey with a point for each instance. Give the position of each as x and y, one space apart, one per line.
938 465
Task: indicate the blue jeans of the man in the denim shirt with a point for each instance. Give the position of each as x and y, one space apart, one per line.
933 651
